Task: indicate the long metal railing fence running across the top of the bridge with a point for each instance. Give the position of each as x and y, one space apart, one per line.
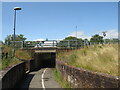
59 43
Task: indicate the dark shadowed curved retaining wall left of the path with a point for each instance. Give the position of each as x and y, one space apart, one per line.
13 75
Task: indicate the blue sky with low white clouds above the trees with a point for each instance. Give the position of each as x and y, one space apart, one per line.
57 20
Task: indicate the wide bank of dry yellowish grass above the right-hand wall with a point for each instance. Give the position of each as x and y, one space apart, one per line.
99 58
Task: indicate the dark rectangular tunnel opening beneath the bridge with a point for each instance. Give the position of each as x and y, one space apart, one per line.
45 60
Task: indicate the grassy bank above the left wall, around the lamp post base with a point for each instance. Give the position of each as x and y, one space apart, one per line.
8 60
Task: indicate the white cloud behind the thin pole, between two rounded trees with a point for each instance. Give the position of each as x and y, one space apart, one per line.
80 34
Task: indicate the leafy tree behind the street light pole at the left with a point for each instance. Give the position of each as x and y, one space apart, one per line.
10 38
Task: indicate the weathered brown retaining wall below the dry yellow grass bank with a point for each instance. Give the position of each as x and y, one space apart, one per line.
80 78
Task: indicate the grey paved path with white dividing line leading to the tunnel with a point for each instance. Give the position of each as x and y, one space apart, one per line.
42 78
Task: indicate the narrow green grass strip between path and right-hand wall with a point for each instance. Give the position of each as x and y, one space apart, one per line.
60 80
